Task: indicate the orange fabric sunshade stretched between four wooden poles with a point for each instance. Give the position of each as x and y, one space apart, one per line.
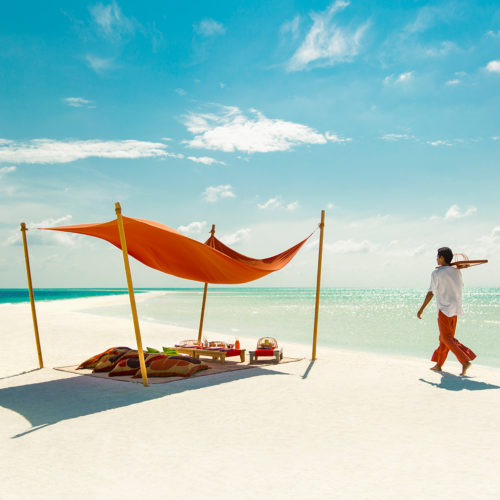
165 249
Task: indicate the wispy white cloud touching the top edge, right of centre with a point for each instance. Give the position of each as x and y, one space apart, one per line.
326 43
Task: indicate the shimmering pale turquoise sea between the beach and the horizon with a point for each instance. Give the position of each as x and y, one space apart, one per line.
377 320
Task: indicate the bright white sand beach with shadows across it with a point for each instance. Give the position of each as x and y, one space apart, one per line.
350 425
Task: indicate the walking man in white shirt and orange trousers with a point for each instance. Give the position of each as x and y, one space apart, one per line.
446 285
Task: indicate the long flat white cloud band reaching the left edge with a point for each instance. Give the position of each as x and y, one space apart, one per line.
52 151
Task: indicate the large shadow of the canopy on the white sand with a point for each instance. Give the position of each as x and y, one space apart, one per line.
47 403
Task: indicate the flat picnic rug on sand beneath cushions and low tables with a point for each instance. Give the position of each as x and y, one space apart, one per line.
214 368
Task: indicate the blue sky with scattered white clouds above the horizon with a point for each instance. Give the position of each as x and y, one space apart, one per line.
253 116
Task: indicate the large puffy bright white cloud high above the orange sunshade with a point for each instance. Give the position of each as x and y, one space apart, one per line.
231 130
